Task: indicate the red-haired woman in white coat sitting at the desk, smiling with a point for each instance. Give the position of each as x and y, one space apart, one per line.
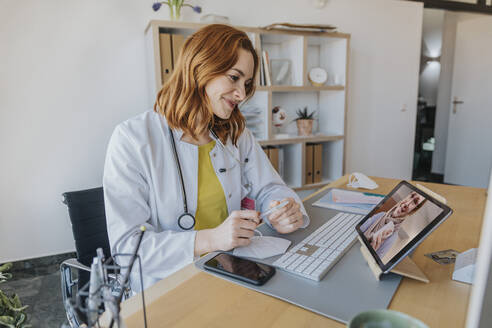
183 169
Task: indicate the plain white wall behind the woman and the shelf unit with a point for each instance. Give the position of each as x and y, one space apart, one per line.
70 70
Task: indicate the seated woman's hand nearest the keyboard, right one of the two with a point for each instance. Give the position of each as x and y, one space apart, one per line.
287 219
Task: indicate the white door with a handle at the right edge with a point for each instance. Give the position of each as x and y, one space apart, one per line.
469 146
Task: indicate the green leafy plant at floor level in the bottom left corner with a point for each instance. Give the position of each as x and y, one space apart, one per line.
12 313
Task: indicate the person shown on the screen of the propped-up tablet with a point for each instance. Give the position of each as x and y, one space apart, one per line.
380 230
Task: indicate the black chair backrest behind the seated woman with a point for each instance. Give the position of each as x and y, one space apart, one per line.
88 217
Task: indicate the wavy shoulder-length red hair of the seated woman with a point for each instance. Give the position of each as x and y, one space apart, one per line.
208 53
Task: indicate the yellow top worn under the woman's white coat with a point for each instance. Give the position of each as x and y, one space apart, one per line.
211 208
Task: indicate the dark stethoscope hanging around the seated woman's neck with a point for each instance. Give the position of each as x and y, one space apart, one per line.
186 221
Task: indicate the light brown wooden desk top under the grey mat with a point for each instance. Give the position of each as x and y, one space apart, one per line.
208 301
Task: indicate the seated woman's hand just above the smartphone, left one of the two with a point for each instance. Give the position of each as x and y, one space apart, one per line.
234 232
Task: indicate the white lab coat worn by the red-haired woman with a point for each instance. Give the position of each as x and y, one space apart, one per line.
141 187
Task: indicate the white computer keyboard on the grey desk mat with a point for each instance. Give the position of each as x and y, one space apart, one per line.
313 257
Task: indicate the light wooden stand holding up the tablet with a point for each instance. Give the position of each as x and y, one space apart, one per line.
407 267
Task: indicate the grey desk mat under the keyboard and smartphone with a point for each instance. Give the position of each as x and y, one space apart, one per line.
347 289
